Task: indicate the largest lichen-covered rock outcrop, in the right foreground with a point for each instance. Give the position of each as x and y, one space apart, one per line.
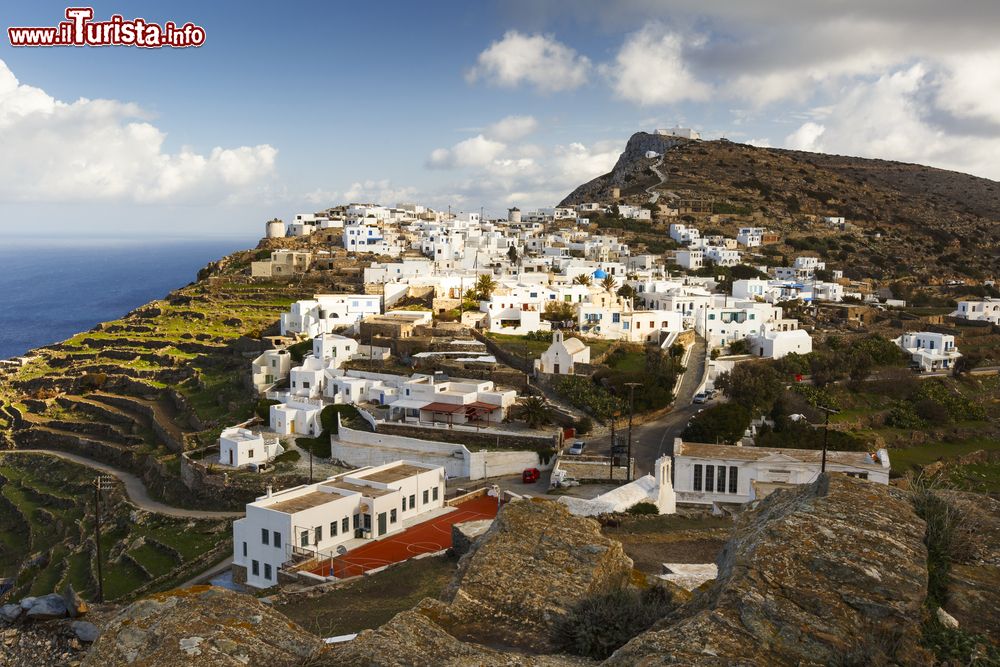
813 576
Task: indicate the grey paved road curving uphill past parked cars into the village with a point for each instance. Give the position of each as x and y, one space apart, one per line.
656 438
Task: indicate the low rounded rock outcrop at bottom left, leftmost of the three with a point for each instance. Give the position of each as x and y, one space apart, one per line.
201 626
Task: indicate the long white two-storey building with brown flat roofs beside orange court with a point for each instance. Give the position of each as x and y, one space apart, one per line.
313 520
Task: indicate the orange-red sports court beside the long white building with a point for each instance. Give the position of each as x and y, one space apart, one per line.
427 537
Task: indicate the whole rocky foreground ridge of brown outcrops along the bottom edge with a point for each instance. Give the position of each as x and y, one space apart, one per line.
842 571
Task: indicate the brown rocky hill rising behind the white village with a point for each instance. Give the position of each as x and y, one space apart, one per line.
906 219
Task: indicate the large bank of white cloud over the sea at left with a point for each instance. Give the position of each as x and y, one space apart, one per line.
103 150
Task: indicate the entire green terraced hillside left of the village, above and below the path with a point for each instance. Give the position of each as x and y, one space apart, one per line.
135 393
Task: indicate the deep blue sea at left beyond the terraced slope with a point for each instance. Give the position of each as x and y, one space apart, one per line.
51 290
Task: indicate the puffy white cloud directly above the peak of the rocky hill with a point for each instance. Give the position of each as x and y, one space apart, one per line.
650 68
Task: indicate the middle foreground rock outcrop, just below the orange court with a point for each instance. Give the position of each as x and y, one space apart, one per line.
517 579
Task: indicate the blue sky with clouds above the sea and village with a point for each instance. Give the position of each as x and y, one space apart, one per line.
462 104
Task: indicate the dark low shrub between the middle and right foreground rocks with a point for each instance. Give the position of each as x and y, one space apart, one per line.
599 625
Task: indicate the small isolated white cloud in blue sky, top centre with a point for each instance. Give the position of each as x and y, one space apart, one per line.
539 60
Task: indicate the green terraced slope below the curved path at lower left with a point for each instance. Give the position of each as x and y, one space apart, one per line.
47 535
